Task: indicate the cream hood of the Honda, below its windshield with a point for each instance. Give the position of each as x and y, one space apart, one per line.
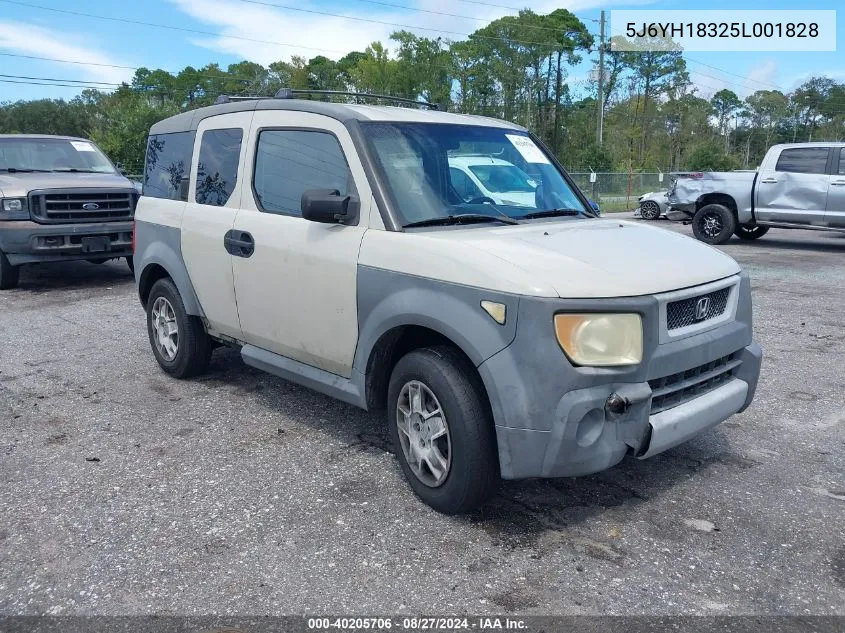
602 257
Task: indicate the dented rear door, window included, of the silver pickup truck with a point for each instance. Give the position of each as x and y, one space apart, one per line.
796 189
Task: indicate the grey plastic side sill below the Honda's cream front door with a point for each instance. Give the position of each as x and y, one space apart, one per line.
344 389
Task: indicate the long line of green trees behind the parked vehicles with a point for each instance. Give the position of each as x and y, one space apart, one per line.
518 68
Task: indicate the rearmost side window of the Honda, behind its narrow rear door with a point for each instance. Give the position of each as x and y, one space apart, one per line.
168 165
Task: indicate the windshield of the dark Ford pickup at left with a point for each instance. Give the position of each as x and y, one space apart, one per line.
52 154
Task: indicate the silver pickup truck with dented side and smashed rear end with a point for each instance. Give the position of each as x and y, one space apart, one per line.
797 186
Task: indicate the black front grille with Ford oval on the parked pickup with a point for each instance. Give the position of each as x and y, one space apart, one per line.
55 206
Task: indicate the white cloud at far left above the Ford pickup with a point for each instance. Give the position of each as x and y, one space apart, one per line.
25 39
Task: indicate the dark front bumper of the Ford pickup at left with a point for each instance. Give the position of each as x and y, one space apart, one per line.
26 242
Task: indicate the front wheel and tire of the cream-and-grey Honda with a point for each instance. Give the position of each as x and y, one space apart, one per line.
446 381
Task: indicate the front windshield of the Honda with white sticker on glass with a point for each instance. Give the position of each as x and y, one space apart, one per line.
415 160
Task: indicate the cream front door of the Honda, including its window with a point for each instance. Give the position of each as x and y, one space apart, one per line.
297 290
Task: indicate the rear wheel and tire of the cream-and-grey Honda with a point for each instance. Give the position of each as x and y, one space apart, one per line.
188 351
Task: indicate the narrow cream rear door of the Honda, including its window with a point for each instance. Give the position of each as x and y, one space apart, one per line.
213 200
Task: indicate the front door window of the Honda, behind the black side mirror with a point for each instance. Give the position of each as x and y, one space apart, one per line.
288 162
